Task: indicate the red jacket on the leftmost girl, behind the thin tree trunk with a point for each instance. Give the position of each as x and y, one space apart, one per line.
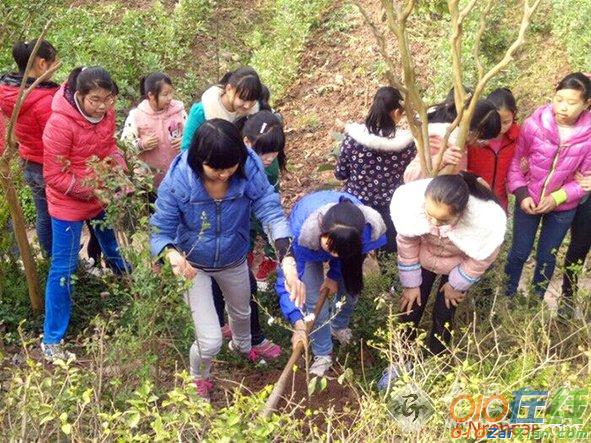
33 115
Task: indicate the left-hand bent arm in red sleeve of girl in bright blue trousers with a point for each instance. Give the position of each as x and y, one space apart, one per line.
57 141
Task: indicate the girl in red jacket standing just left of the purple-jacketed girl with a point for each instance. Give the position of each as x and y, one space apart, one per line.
491 161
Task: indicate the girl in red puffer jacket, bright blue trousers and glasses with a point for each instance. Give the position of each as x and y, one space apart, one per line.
81 127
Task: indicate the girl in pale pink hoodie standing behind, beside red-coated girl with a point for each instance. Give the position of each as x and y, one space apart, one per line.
155 127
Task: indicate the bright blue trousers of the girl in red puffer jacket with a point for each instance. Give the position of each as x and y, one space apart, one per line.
64 261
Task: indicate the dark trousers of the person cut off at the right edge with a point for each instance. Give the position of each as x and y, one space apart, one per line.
580 243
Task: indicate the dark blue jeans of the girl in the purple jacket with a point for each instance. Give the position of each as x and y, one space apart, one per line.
555 225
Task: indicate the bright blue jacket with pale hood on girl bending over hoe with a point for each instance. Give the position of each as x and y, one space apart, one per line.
305 221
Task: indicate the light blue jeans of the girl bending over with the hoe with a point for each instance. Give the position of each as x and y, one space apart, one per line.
321 340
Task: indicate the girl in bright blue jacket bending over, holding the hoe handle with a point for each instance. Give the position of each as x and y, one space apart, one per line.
335 228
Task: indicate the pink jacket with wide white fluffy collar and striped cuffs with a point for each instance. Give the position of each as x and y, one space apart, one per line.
463 251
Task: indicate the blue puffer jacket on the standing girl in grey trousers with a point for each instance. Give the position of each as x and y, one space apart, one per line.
214 234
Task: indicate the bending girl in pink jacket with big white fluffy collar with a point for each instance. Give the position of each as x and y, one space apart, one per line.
452 226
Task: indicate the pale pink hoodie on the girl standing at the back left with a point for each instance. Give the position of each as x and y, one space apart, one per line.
167 124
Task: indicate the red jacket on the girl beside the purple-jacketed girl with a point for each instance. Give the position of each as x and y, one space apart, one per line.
493 166
